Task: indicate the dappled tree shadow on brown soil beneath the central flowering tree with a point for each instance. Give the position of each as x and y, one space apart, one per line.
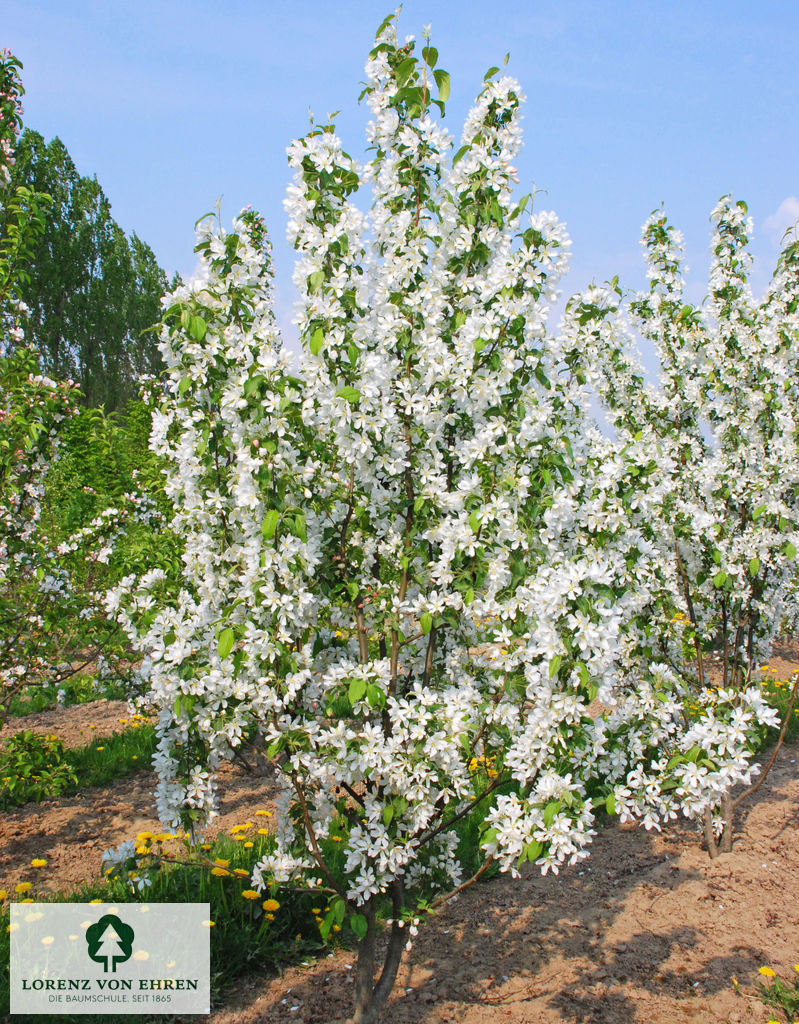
508 942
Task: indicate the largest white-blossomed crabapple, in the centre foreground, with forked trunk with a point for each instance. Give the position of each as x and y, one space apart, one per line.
401 559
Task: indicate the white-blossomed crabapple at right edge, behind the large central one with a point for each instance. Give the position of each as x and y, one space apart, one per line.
720 436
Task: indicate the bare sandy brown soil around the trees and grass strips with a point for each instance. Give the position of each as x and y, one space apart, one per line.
648 931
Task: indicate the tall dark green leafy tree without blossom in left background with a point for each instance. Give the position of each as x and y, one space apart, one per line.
93 292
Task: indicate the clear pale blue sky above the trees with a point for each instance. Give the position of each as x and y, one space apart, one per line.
176 104
